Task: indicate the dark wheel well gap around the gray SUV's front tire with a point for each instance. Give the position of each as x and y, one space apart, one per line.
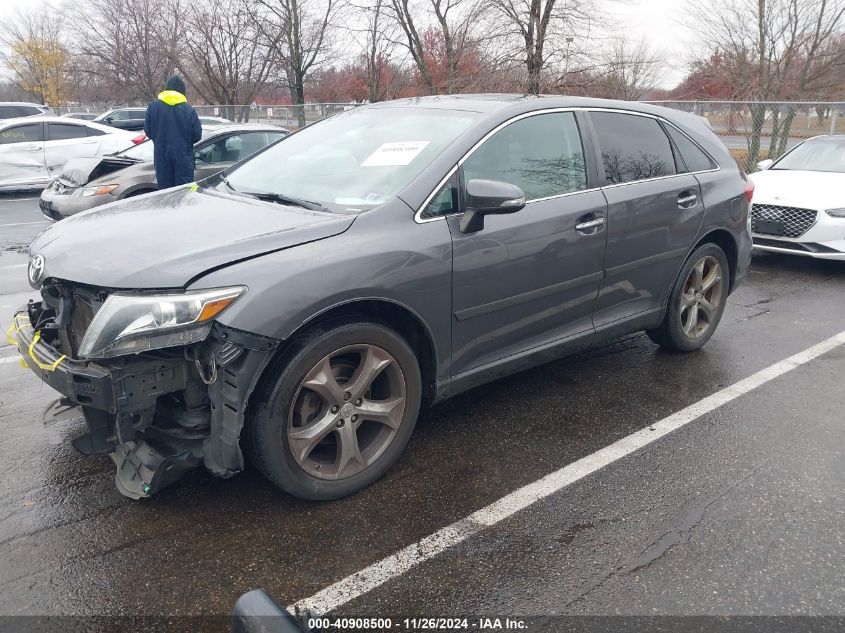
400 319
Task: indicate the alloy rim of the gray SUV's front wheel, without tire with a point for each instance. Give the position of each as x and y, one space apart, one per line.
346 412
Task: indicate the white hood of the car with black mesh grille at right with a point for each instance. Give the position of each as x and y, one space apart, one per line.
796 188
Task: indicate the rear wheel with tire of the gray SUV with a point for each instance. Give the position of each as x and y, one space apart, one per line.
696 302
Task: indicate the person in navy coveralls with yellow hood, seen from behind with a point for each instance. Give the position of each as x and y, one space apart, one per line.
174 127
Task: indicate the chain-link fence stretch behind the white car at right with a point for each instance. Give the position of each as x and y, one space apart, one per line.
756 130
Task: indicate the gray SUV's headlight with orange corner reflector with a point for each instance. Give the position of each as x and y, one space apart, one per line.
133 323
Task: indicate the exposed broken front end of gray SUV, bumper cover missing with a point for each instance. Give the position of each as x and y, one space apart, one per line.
158 413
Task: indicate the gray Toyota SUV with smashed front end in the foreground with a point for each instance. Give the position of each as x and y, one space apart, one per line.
301 306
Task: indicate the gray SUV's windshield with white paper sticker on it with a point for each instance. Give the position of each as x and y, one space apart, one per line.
355 160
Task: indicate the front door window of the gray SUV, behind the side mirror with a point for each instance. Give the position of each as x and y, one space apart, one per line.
541 154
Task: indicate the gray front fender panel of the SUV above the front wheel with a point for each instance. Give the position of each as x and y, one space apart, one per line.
384 256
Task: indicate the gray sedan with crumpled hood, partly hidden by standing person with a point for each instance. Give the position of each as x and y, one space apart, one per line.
91 182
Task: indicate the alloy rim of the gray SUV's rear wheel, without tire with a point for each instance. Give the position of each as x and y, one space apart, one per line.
701 297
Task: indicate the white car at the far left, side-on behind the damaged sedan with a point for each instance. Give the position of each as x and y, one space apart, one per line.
33 150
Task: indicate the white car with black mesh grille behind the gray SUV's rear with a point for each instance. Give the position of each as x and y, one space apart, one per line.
799 200
